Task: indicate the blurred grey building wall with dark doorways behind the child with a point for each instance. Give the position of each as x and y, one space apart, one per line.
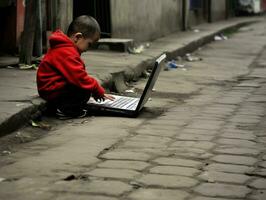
143 20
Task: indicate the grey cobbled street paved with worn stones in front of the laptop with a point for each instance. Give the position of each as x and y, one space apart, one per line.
206 143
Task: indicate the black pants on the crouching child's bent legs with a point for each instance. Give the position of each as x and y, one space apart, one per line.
71 101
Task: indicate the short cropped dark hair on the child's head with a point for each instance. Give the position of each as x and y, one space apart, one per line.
84 24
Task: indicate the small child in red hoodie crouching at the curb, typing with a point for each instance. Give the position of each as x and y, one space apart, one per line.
62 79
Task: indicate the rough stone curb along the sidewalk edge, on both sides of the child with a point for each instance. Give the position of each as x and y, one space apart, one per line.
114 82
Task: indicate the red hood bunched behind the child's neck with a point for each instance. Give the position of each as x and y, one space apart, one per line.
59 39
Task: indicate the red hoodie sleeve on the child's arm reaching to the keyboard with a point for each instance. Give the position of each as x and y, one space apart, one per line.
73 70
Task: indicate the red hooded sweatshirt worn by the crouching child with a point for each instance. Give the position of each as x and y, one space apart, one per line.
63 66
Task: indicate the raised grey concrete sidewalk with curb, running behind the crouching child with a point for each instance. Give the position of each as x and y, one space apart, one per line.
18 102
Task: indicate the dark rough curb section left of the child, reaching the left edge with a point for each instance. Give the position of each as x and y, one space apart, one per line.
19 119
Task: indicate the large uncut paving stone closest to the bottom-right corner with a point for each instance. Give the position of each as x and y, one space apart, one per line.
222 190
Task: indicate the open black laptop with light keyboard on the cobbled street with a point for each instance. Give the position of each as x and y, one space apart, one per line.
130 106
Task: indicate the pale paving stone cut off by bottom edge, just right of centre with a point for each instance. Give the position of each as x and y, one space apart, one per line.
158 194
